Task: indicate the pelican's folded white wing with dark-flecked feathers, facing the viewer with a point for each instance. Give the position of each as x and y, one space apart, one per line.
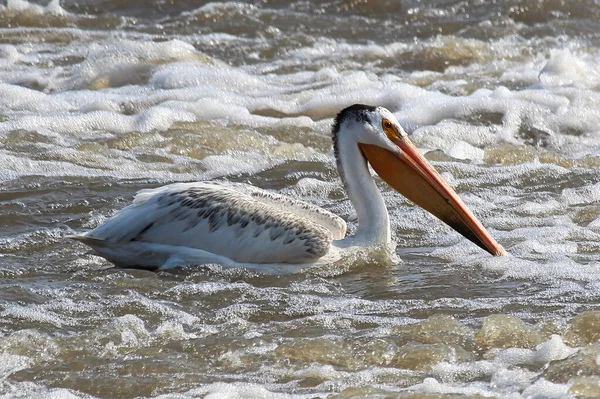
238 221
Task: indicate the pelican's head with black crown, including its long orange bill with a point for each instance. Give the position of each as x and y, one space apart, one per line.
386 147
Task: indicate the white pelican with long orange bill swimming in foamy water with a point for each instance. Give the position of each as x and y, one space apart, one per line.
235 224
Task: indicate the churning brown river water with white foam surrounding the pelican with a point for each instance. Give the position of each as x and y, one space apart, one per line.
101 99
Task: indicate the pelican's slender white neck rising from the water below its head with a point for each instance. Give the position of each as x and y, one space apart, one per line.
373 219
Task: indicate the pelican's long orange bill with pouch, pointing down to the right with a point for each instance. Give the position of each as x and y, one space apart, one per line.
409 173
